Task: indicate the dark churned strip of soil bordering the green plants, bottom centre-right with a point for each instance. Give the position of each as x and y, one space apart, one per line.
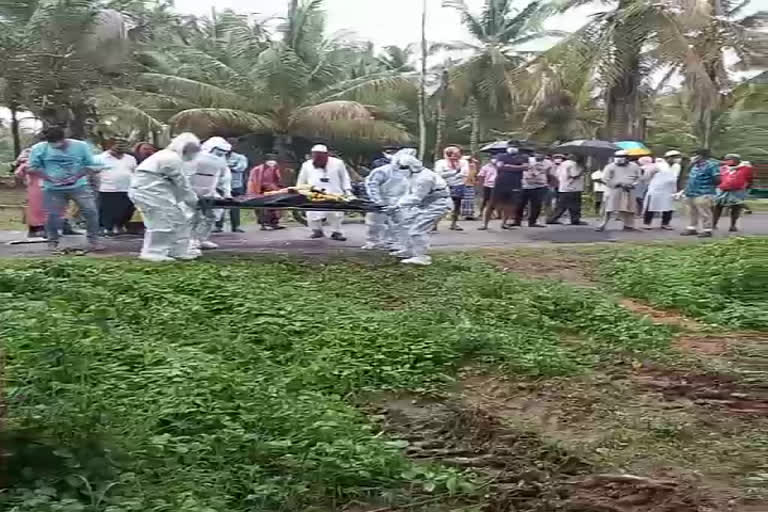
521 471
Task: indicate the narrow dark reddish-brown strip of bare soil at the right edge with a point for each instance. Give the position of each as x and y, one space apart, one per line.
712 391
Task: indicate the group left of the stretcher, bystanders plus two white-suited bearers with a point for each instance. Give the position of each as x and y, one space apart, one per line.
106 189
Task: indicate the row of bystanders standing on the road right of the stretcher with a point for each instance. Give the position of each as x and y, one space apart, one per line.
521 184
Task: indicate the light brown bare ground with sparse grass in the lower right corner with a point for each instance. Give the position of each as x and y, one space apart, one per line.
615 420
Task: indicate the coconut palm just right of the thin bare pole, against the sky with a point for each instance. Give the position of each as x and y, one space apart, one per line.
486 79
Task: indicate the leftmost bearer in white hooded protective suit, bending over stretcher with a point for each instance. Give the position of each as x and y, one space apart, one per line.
163 195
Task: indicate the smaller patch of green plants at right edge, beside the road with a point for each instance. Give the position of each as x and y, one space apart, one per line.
723 283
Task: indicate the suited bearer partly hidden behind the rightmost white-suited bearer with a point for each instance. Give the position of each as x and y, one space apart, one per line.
385 186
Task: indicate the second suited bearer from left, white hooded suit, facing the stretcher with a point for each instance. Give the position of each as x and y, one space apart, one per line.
211 178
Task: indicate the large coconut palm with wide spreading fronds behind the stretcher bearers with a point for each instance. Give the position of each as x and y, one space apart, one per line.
231 79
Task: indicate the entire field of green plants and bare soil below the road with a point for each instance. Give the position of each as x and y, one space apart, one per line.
254 384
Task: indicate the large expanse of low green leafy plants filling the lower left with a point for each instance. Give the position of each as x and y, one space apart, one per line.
228 386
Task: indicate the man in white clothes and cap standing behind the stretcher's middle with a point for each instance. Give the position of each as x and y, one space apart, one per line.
328 174
